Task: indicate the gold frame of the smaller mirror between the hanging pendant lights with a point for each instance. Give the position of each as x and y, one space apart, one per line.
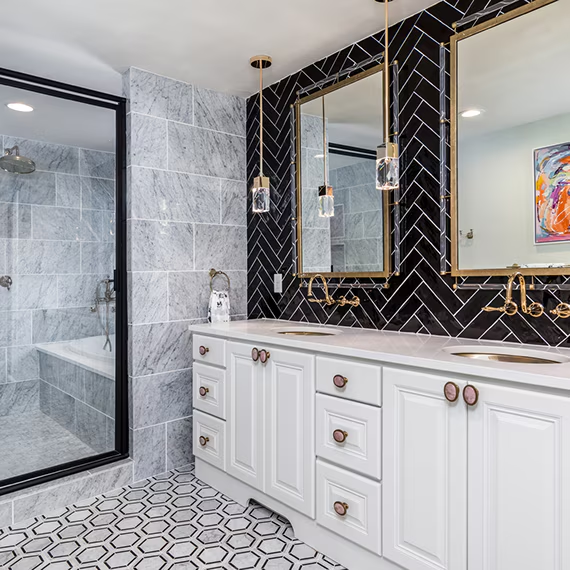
298 182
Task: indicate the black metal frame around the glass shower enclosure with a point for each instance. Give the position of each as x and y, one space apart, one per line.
118 104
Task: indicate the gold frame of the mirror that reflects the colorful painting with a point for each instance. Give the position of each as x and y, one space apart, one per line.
455 39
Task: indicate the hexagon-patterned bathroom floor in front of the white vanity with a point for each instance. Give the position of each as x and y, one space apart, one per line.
170 522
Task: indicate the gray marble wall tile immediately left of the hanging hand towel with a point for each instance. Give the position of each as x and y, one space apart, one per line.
188 295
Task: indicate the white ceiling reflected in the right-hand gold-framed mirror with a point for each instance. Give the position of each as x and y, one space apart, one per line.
516 72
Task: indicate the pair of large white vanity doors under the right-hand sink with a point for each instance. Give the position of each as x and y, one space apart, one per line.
477 487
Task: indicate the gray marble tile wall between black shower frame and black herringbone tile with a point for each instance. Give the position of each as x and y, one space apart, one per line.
186 214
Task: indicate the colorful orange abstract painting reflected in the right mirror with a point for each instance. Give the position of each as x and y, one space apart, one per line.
552 200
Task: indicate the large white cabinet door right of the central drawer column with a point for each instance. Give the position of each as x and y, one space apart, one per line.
424 473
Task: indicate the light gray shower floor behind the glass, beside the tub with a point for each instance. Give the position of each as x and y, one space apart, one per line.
29 442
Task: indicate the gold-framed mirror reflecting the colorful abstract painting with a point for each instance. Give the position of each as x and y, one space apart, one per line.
510 144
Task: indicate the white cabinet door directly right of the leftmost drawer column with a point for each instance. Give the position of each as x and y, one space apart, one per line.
244 412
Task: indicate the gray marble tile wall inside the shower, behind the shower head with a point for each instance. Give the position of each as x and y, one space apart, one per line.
56 242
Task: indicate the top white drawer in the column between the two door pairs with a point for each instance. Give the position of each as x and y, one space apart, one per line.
350 379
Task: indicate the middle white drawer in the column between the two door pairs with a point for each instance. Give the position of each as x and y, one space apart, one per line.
358 428
